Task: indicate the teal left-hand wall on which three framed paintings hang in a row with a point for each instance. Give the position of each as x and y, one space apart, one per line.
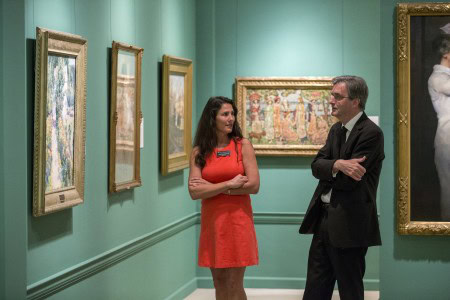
112 246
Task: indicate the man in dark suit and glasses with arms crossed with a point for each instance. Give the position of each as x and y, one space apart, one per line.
342 213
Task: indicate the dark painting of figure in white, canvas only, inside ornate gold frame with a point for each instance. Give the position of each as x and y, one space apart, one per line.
430 118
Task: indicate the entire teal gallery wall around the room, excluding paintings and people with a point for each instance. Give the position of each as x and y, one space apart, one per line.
144 241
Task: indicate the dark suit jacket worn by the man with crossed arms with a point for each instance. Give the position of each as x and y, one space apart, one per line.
352 214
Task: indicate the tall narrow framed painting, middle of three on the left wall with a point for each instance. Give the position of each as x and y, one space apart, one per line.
125 118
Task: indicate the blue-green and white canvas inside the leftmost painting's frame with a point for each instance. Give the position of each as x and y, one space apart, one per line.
60 123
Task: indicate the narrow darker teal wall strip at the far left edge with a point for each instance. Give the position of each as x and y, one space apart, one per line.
15 150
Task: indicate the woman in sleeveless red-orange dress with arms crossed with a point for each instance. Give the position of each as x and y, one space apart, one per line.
223 172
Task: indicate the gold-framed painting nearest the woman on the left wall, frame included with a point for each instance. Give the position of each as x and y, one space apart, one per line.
176 142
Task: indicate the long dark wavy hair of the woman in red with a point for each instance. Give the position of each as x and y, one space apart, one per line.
206 136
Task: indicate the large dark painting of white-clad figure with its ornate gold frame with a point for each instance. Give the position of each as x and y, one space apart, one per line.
423 119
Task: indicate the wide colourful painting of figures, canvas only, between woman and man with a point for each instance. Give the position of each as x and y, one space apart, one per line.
288 116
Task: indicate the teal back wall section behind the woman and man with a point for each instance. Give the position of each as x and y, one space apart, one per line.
286 38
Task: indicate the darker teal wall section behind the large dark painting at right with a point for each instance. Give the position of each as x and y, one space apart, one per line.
411 267
